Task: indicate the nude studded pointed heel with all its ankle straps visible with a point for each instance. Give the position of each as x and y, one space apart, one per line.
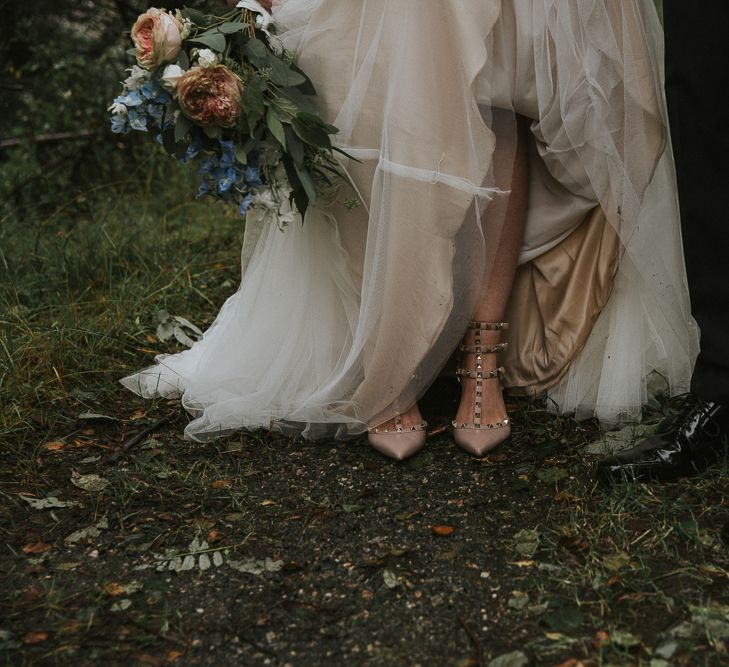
478 438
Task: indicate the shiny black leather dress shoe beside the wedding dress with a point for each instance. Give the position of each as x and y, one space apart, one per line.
684 444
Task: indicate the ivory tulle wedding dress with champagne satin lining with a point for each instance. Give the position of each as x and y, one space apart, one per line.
346 319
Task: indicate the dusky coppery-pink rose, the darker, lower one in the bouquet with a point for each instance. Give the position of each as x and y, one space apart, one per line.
210 95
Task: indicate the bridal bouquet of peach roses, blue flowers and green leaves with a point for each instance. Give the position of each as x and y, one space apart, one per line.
223 91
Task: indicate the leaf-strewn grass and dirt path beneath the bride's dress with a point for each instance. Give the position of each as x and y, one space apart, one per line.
299 553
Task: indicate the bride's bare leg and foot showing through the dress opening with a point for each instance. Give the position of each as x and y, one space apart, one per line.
511 170
